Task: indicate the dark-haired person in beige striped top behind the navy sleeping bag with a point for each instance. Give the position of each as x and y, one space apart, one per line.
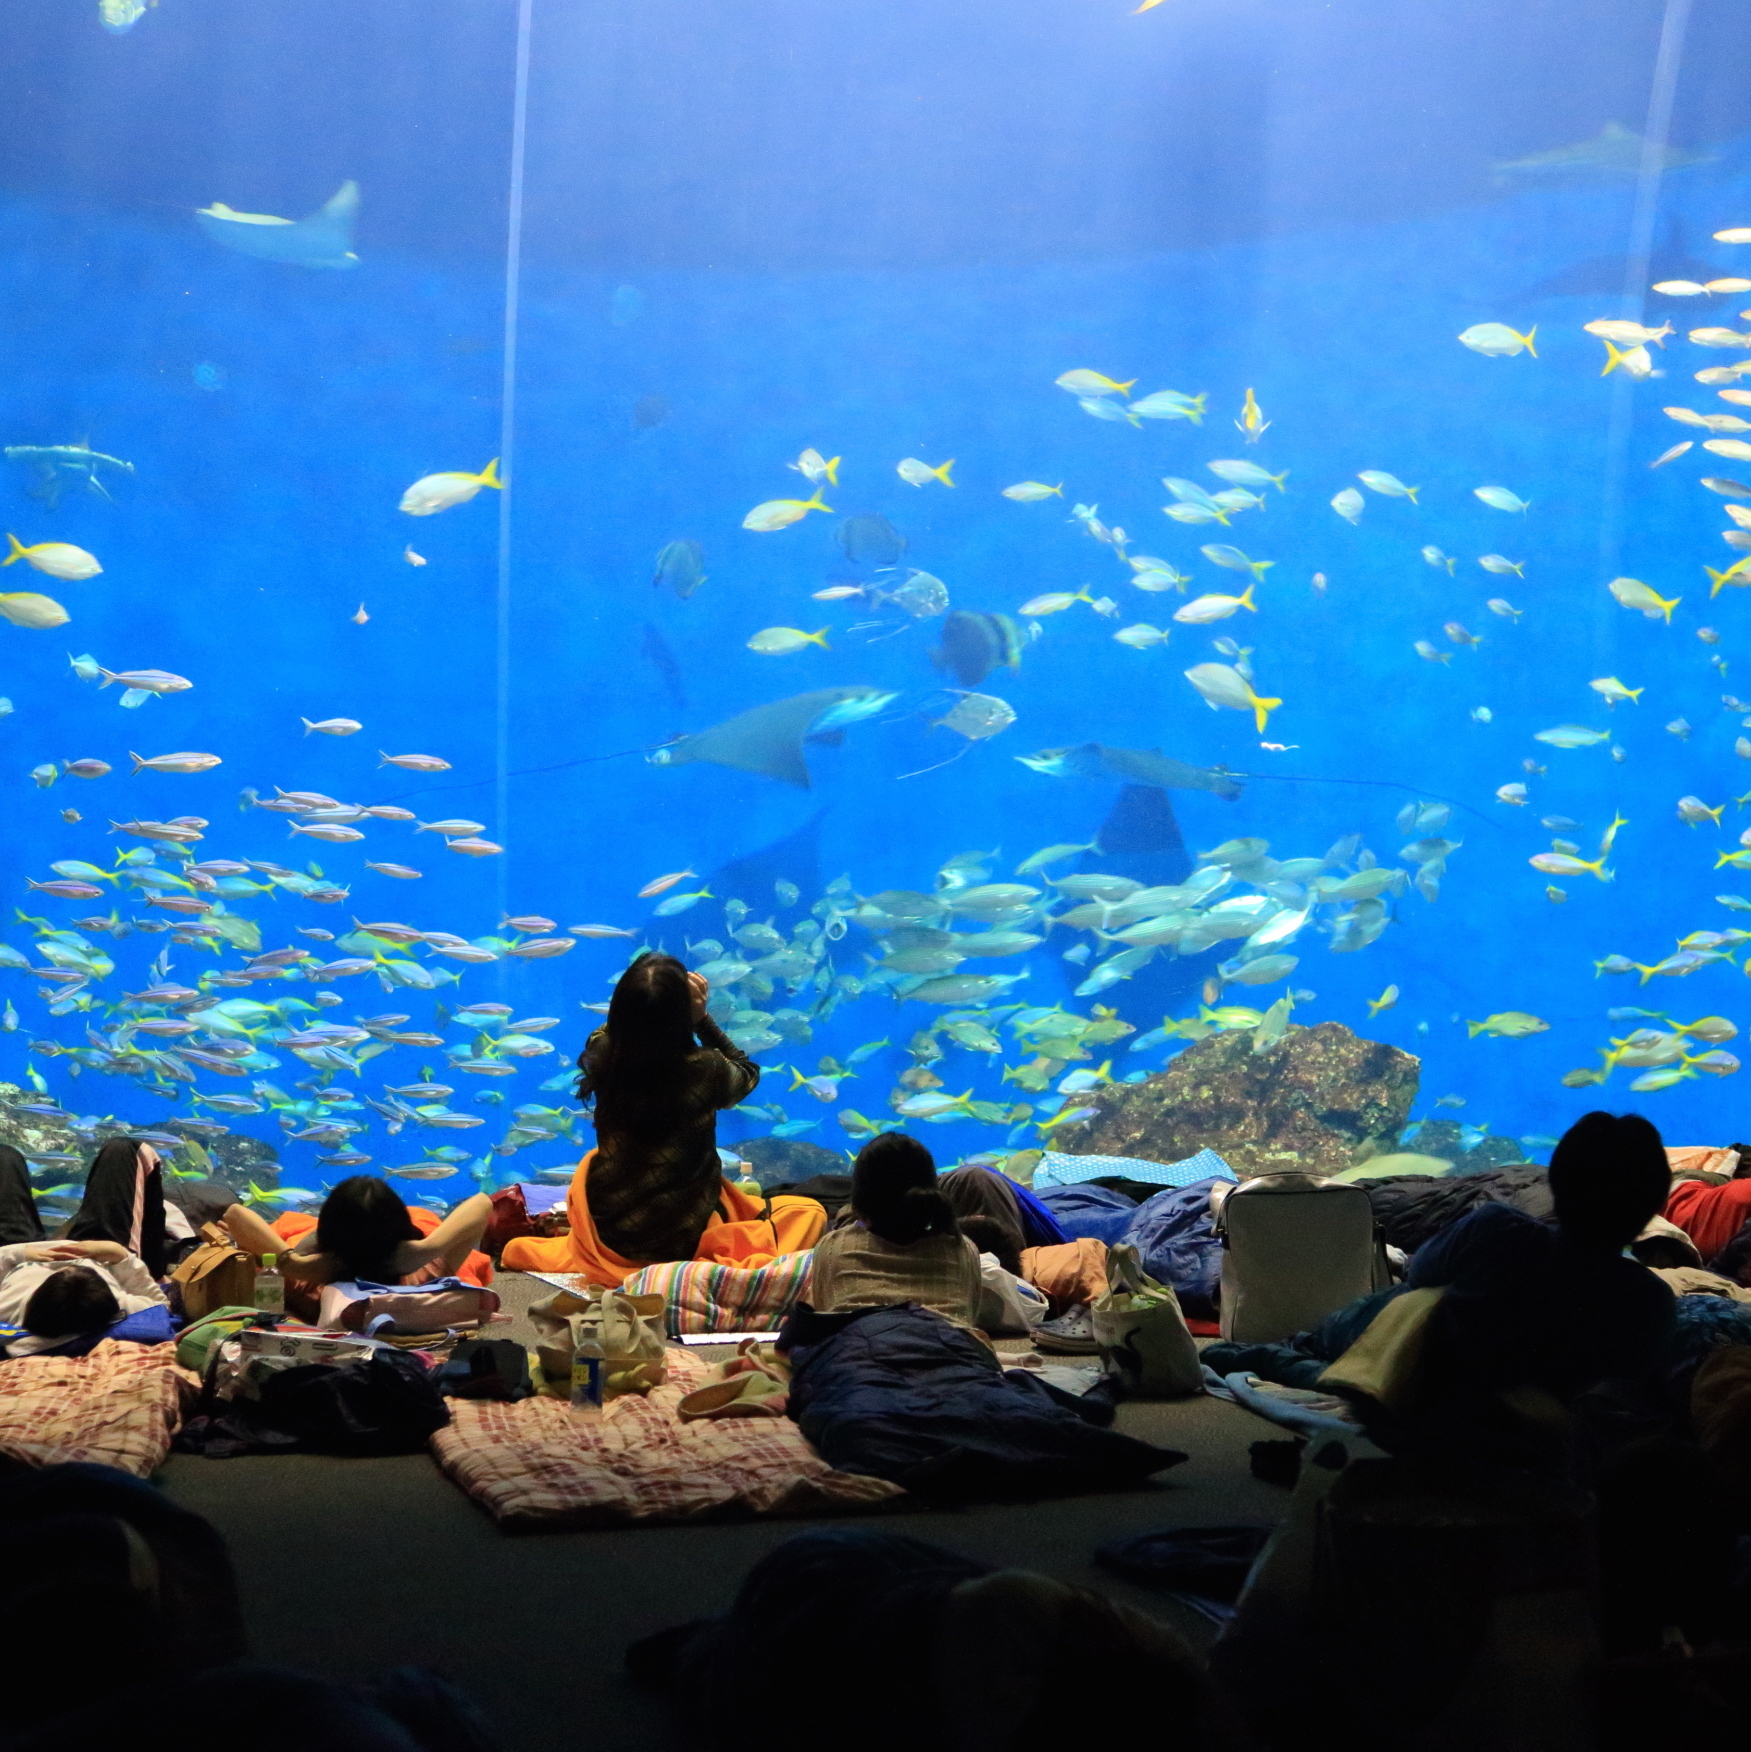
904 1245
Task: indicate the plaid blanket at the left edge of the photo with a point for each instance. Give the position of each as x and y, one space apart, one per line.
118 1406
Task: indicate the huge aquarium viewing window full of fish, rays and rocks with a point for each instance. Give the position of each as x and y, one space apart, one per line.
1119 581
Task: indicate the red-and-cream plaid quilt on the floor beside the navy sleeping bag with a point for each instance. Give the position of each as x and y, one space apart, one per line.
537 1467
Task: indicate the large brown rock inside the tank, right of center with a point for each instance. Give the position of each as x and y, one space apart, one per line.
1319 1099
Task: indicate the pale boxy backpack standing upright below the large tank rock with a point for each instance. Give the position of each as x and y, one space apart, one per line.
1294 1250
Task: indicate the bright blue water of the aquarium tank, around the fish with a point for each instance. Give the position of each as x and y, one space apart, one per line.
716 278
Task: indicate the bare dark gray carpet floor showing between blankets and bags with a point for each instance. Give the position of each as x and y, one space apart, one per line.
355 1565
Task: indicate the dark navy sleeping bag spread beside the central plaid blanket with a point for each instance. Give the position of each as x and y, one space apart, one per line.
900 1394
